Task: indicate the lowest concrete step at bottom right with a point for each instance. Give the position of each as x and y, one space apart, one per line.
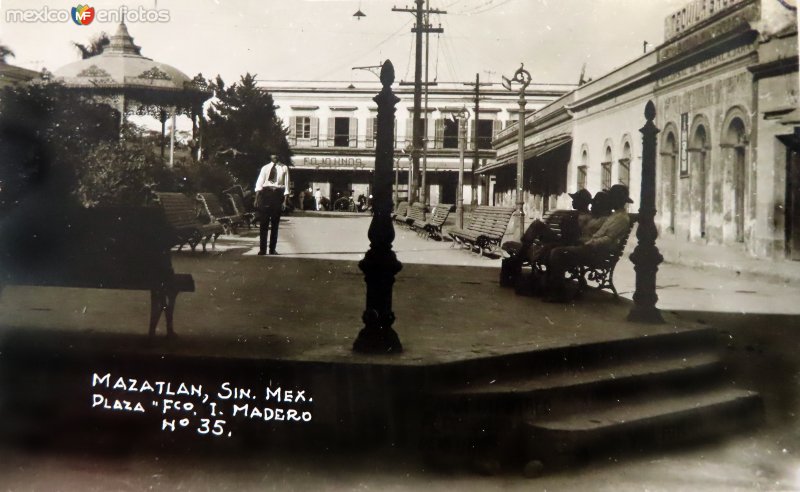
640 423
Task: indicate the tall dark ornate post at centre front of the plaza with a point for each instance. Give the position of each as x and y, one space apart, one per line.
380 263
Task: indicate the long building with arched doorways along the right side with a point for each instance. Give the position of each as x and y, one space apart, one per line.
725 85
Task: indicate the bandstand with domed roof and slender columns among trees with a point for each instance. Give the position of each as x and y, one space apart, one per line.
137 85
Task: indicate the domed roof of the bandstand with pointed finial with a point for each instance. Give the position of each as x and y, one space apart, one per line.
121 66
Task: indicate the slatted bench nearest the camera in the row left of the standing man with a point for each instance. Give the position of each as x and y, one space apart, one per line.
185 227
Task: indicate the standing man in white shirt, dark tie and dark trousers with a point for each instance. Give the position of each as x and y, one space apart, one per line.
273 186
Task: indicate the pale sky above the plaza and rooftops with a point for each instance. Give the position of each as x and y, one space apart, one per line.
320 40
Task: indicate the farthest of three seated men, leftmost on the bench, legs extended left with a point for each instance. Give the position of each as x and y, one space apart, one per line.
540 232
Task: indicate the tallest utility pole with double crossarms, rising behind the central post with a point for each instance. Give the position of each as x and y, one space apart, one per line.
421 26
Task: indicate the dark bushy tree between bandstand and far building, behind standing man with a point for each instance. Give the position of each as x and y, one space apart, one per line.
243 130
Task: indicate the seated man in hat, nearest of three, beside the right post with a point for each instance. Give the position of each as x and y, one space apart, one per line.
599 245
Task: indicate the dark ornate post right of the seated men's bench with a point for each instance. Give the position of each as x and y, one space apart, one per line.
646 256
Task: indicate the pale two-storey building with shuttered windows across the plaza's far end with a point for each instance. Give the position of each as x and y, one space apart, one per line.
332 130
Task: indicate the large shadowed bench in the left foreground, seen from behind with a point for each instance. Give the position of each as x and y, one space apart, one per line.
103 248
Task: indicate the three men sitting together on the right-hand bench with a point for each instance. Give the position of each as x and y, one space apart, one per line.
591 233
